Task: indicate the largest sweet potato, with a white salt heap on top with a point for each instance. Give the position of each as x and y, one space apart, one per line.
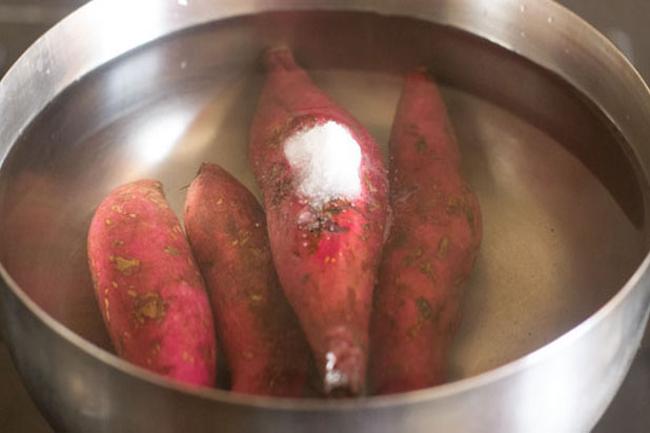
325 193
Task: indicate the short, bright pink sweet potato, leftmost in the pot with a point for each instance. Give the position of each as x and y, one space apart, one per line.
149 289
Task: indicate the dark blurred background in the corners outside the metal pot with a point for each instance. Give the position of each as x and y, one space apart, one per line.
624 22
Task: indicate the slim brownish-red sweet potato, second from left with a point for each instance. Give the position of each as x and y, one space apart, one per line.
260 336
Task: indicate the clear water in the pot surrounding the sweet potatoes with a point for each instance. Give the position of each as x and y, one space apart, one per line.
563 211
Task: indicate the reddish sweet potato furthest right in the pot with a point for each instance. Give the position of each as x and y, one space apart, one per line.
434 239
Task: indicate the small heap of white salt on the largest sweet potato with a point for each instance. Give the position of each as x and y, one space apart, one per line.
326 160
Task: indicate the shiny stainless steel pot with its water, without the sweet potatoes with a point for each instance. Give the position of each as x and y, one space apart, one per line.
565 211
